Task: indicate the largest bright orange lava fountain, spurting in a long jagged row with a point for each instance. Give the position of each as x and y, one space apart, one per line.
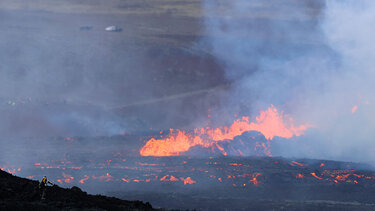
270 123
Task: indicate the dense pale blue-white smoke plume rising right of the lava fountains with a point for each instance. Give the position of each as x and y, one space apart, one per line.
312 59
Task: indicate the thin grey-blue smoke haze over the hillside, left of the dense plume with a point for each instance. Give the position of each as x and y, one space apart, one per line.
62 74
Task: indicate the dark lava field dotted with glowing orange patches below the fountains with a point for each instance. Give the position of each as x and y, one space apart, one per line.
95 165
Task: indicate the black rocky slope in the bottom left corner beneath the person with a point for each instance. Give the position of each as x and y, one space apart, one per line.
23 194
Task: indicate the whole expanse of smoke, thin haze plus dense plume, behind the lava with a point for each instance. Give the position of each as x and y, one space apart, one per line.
312 59
